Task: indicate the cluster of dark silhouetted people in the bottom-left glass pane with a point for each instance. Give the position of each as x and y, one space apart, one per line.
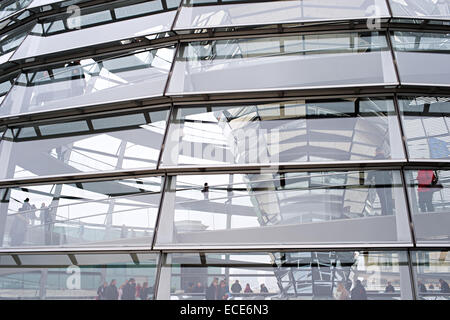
129 290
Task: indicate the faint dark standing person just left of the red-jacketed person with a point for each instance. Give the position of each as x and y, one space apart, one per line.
383 184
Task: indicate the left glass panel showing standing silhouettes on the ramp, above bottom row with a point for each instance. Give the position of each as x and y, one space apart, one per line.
100 214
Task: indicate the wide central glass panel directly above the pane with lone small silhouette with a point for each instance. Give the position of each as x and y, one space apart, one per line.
293 131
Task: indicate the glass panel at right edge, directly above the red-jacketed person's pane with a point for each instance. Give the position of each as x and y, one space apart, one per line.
426 123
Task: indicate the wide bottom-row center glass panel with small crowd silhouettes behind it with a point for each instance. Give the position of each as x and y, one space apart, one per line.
341 275
